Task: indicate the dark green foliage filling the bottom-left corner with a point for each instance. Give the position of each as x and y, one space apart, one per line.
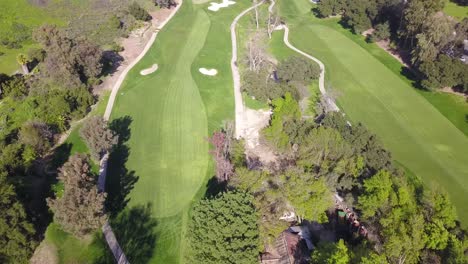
16 233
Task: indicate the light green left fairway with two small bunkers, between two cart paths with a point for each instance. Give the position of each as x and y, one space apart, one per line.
173 111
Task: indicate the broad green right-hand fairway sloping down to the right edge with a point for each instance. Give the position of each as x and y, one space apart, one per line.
420 137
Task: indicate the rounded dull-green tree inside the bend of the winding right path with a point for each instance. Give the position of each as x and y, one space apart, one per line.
298 70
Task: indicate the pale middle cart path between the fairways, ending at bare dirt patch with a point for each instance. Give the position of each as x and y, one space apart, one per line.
236 75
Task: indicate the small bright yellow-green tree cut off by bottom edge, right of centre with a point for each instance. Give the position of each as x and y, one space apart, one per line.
331 253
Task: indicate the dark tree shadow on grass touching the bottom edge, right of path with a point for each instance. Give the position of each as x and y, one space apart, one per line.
135 229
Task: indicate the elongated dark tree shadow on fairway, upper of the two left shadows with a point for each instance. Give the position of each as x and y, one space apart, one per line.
120 180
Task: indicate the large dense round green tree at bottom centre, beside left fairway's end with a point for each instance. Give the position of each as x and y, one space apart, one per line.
223 230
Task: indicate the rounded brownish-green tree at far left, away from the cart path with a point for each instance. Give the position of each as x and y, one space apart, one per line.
36 135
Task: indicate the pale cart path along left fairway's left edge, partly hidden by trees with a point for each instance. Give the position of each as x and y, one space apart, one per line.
109 235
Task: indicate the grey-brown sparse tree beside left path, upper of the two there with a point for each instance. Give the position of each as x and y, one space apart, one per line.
98 137
